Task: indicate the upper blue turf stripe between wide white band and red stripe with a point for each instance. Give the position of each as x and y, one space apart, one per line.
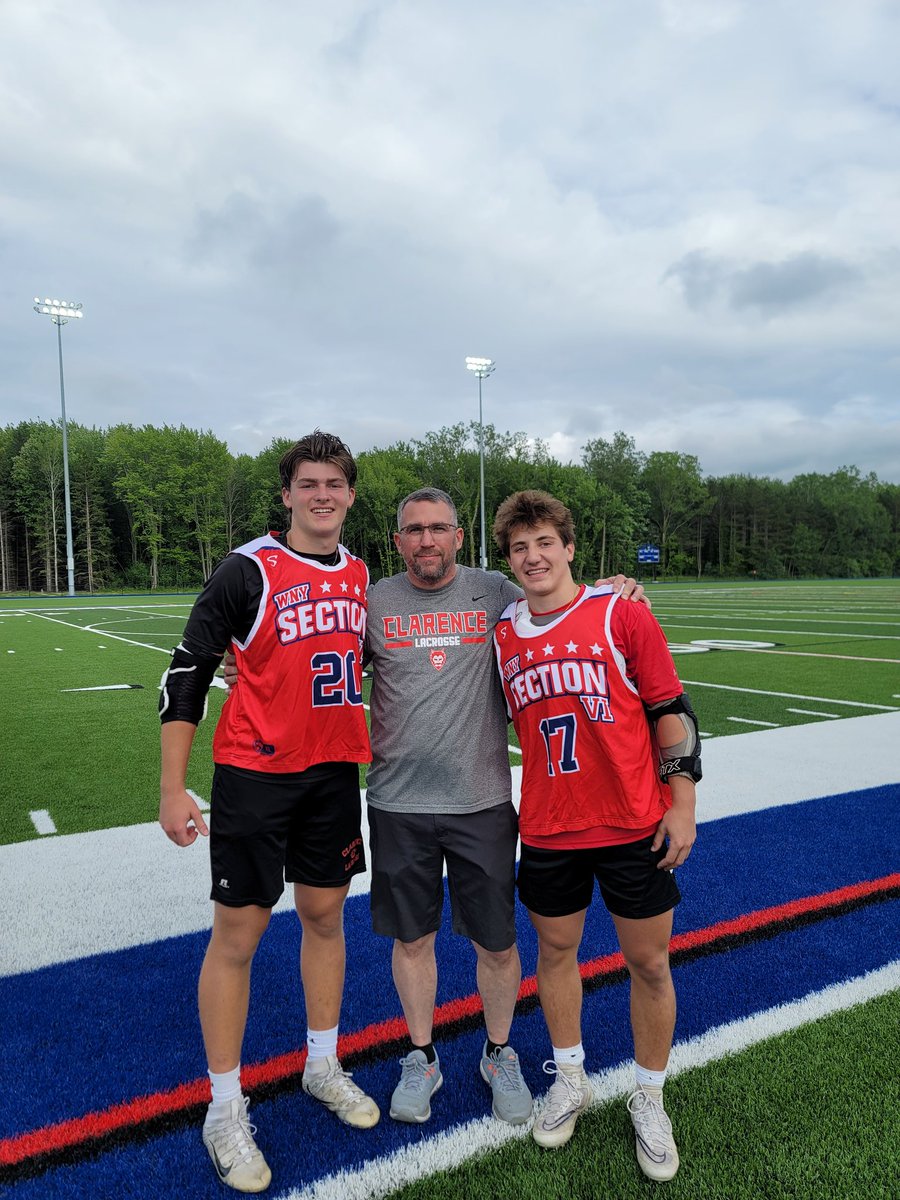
68 1013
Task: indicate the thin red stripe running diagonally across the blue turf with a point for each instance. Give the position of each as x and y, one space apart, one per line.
94 1126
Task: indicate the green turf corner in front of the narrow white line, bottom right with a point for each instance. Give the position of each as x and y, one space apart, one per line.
808 1115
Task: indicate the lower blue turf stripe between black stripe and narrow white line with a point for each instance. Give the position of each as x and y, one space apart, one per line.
303 1142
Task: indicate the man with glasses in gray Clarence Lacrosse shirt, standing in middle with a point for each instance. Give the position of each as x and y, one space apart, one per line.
440 793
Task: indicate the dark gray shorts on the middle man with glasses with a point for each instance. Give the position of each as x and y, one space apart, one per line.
409 855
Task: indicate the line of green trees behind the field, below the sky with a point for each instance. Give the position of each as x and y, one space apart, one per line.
158 508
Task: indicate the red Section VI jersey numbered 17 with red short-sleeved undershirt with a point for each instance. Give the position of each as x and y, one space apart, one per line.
575 689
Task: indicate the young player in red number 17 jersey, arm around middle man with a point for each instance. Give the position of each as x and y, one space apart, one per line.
610 758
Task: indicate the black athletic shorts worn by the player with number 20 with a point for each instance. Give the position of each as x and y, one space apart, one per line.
301 827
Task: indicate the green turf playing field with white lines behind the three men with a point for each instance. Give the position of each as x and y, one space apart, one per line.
80 685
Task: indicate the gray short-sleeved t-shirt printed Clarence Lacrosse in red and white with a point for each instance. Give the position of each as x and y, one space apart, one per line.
439 716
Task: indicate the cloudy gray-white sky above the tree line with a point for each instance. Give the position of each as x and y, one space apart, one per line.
675 218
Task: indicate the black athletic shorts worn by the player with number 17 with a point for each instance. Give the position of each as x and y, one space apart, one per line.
561 883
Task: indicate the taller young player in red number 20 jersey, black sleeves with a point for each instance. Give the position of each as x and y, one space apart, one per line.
286 800
